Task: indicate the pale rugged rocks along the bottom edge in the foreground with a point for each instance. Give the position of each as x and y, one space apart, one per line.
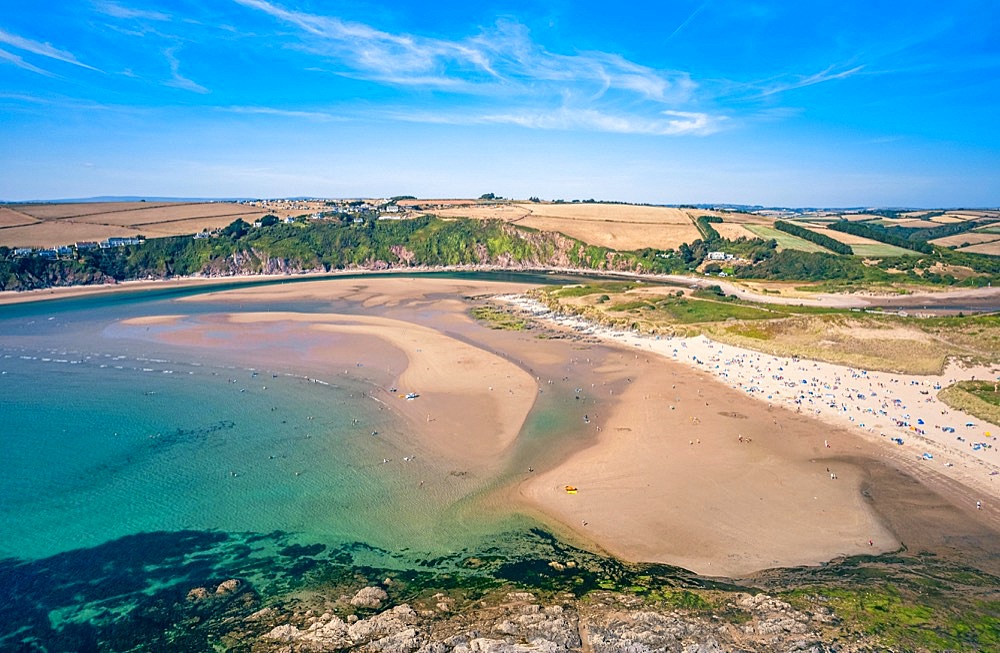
603 623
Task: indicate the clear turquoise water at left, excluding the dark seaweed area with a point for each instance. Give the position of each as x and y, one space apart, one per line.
106 436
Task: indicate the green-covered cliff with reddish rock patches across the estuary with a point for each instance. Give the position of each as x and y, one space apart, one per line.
498 245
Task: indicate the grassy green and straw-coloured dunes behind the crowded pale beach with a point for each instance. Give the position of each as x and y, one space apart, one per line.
873 341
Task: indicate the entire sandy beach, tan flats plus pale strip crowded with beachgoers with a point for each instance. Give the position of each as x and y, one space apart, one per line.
683 452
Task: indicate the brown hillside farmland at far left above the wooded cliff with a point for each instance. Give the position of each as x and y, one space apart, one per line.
51 225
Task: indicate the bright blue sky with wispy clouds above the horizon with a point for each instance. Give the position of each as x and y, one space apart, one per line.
849 103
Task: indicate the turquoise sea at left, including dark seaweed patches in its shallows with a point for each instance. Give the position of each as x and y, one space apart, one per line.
131 465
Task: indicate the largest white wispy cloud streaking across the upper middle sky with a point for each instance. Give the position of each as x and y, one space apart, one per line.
588 90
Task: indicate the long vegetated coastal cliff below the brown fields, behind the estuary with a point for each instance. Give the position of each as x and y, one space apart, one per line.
290 249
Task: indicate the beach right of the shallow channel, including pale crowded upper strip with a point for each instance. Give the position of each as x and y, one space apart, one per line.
725 460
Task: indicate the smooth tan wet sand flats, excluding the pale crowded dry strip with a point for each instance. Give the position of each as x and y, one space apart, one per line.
670 464
